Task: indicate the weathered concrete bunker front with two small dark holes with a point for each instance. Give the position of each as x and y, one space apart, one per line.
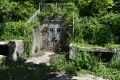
50 36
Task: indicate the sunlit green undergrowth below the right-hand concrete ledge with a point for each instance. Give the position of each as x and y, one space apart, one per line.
87 63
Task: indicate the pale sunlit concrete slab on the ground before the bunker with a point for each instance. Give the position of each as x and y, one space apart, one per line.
40 59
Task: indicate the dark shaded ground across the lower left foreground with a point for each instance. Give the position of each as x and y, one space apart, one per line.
19 70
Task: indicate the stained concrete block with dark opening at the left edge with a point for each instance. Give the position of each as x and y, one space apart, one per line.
13 49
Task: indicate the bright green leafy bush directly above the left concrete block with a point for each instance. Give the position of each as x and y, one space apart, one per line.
16 30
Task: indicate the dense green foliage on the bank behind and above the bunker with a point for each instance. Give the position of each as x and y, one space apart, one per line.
93 18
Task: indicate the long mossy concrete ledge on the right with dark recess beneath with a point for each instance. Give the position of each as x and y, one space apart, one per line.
101 52
